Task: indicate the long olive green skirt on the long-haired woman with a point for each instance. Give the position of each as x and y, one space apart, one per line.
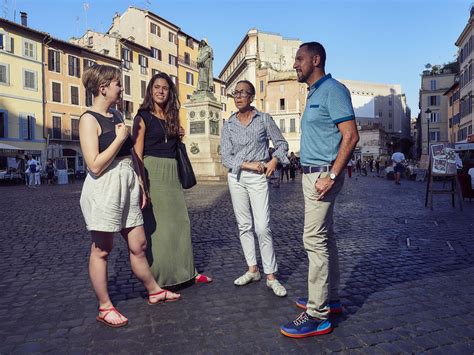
167 226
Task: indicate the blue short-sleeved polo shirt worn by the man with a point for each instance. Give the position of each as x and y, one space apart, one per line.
328 104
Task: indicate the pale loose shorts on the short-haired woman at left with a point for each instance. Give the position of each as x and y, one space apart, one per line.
111 201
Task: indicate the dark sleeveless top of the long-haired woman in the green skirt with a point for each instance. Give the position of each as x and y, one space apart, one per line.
155 143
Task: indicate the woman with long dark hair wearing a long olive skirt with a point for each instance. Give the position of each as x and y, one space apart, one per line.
157 131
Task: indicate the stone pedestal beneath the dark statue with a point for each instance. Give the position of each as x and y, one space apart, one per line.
204 116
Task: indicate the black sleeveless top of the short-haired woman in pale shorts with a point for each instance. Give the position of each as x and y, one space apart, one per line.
107 136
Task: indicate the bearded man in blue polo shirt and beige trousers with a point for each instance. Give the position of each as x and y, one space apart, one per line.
328 138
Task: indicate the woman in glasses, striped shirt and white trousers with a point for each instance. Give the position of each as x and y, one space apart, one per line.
245 153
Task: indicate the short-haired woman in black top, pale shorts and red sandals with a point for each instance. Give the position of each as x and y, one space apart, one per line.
110 199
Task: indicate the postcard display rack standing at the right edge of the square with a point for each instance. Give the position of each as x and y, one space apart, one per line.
443 165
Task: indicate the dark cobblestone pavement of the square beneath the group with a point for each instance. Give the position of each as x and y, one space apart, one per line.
407 277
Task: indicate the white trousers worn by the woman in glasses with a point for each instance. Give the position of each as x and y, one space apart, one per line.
250 198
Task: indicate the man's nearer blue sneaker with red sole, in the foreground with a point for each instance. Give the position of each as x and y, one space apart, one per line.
306 326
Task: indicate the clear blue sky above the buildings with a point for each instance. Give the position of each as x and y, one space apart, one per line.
385 41
